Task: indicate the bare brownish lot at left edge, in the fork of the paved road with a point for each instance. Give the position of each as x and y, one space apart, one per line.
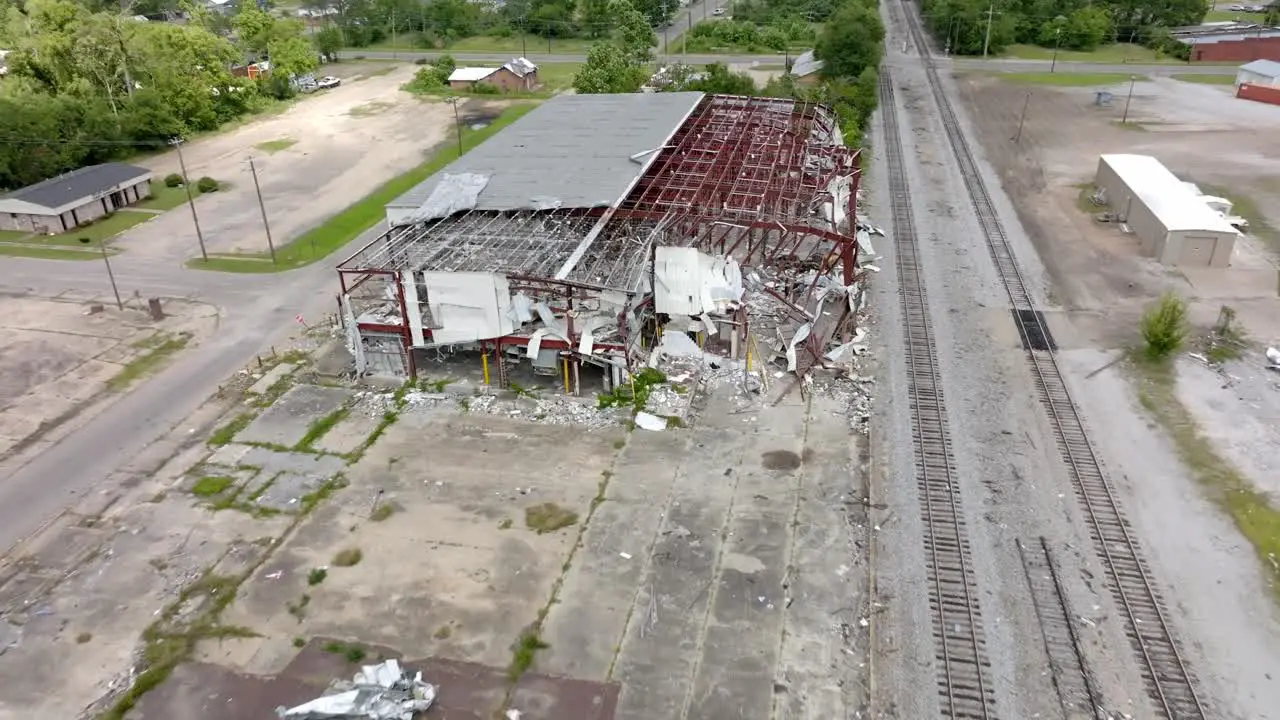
57 359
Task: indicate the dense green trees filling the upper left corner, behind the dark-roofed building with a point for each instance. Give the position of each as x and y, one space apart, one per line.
89 86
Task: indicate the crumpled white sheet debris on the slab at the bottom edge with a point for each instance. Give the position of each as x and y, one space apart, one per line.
378 692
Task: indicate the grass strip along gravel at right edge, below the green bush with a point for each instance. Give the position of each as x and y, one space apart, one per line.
1256 520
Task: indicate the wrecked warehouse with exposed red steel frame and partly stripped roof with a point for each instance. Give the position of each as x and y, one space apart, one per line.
574 238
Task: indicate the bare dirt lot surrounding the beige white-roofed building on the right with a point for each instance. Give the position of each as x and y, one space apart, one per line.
1199 131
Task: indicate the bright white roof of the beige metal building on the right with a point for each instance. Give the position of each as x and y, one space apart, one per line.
1172 202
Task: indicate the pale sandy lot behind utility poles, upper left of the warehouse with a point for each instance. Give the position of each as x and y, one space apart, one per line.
346 143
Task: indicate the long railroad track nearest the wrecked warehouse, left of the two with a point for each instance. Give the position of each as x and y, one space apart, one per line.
961 649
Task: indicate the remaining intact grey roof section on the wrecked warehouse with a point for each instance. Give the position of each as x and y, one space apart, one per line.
574 148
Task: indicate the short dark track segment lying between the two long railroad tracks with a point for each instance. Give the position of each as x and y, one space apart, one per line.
1058 630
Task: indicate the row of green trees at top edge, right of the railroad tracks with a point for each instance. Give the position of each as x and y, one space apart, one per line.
971 28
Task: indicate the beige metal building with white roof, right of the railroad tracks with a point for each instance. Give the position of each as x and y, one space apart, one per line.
1174 225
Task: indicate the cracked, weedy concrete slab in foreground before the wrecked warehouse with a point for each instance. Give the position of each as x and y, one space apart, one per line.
711 572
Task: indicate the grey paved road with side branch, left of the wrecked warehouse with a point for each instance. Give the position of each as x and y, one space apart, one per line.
258 312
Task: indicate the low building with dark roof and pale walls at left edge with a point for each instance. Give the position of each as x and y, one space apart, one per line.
74 199
